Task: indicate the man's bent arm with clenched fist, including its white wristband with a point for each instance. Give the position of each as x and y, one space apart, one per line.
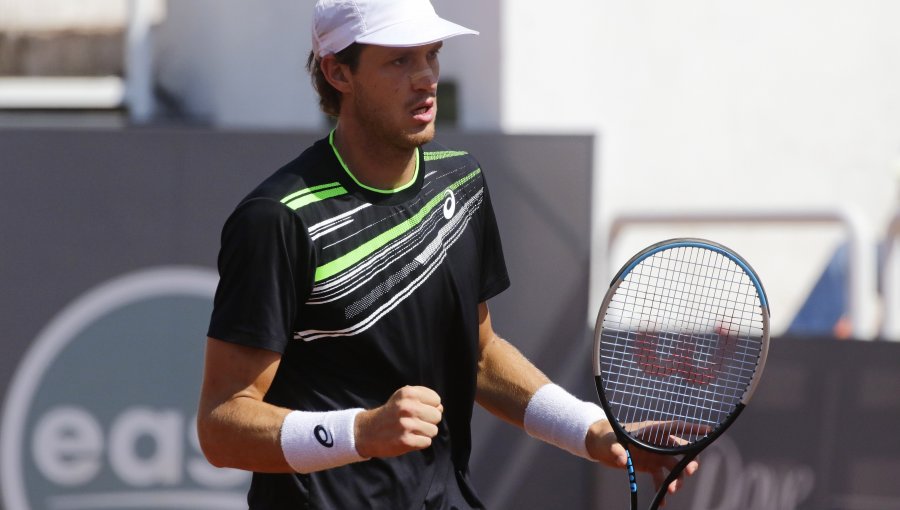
238 429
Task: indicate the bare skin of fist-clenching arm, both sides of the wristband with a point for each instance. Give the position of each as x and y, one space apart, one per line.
237 429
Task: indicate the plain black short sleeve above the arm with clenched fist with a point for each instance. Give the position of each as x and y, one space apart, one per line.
266 266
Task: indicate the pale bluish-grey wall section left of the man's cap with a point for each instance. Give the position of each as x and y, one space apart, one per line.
239 64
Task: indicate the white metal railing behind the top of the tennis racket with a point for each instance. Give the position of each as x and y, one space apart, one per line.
861 277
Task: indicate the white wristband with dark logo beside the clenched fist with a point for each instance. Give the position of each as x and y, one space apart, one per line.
313 441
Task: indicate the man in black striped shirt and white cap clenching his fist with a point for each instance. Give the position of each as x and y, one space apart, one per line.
351 333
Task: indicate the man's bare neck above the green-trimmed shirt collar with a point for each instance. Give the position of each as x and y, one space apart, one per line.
374 163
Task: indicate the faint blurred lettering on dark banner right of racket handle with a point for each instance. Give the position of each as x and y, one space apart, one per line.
754 486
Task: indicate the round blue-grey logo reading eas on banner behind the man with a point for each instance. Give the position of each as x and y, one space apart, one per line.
100 414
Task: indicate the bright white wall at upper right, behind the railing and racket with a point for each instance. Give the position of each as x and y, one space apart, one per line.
720 105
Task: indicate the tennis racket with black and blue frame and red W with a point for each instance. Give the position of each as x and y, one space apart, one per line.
681 339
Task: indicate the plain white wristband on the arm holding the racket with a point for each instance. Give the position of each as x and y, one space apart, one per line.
555 416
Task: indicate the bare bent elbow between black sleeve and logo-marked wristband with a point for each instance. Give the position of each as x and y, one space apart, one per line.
236 428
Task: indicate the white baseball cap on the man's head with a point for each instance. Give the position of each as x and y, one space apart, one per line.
395 23
